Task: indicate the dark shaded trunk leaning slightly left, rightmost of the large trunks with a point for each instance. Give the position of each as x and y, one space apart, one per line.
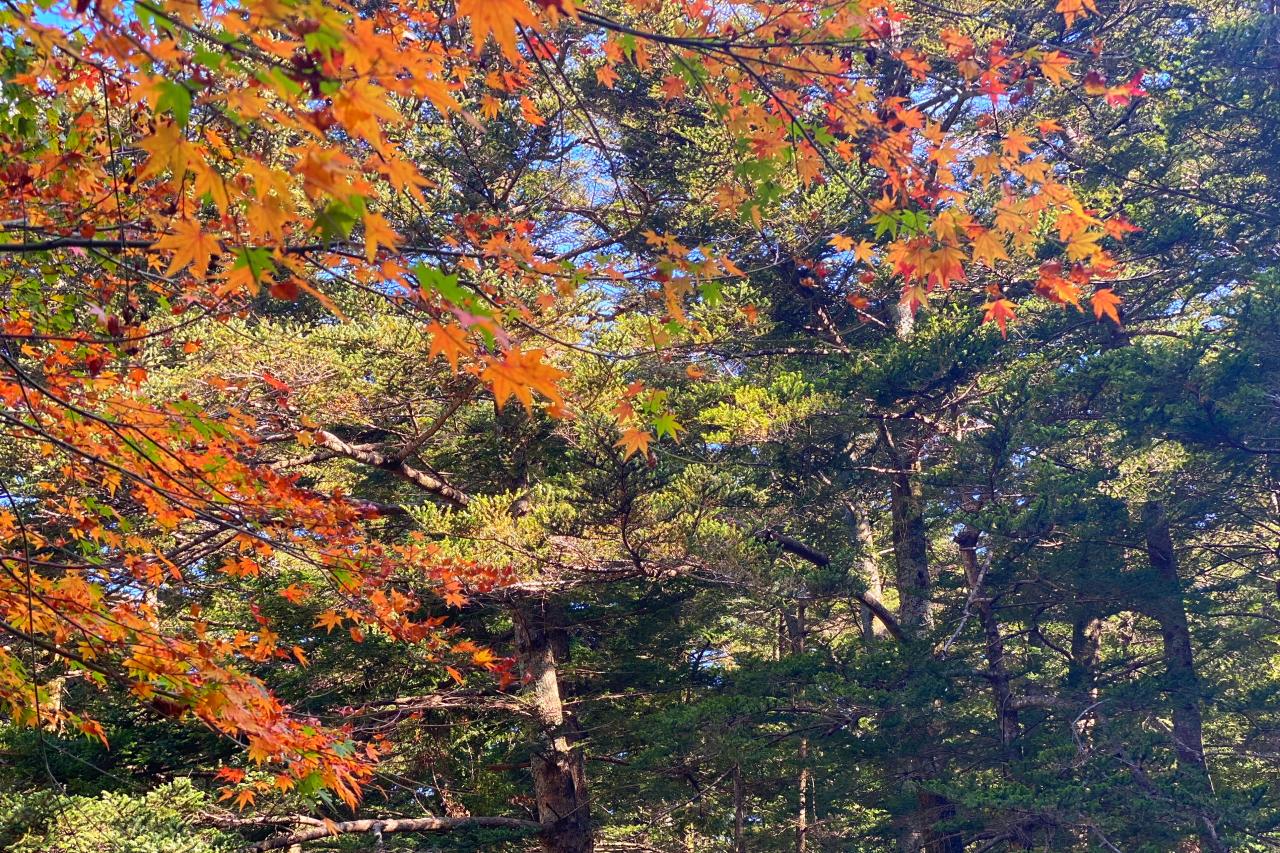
1167 608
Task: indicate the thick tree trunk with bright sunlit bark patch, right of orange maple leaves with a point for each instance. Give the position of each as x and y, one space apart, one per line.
560 777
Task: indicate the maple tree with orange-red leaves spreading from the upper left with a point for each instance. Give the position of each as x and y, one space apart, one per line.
175 170
